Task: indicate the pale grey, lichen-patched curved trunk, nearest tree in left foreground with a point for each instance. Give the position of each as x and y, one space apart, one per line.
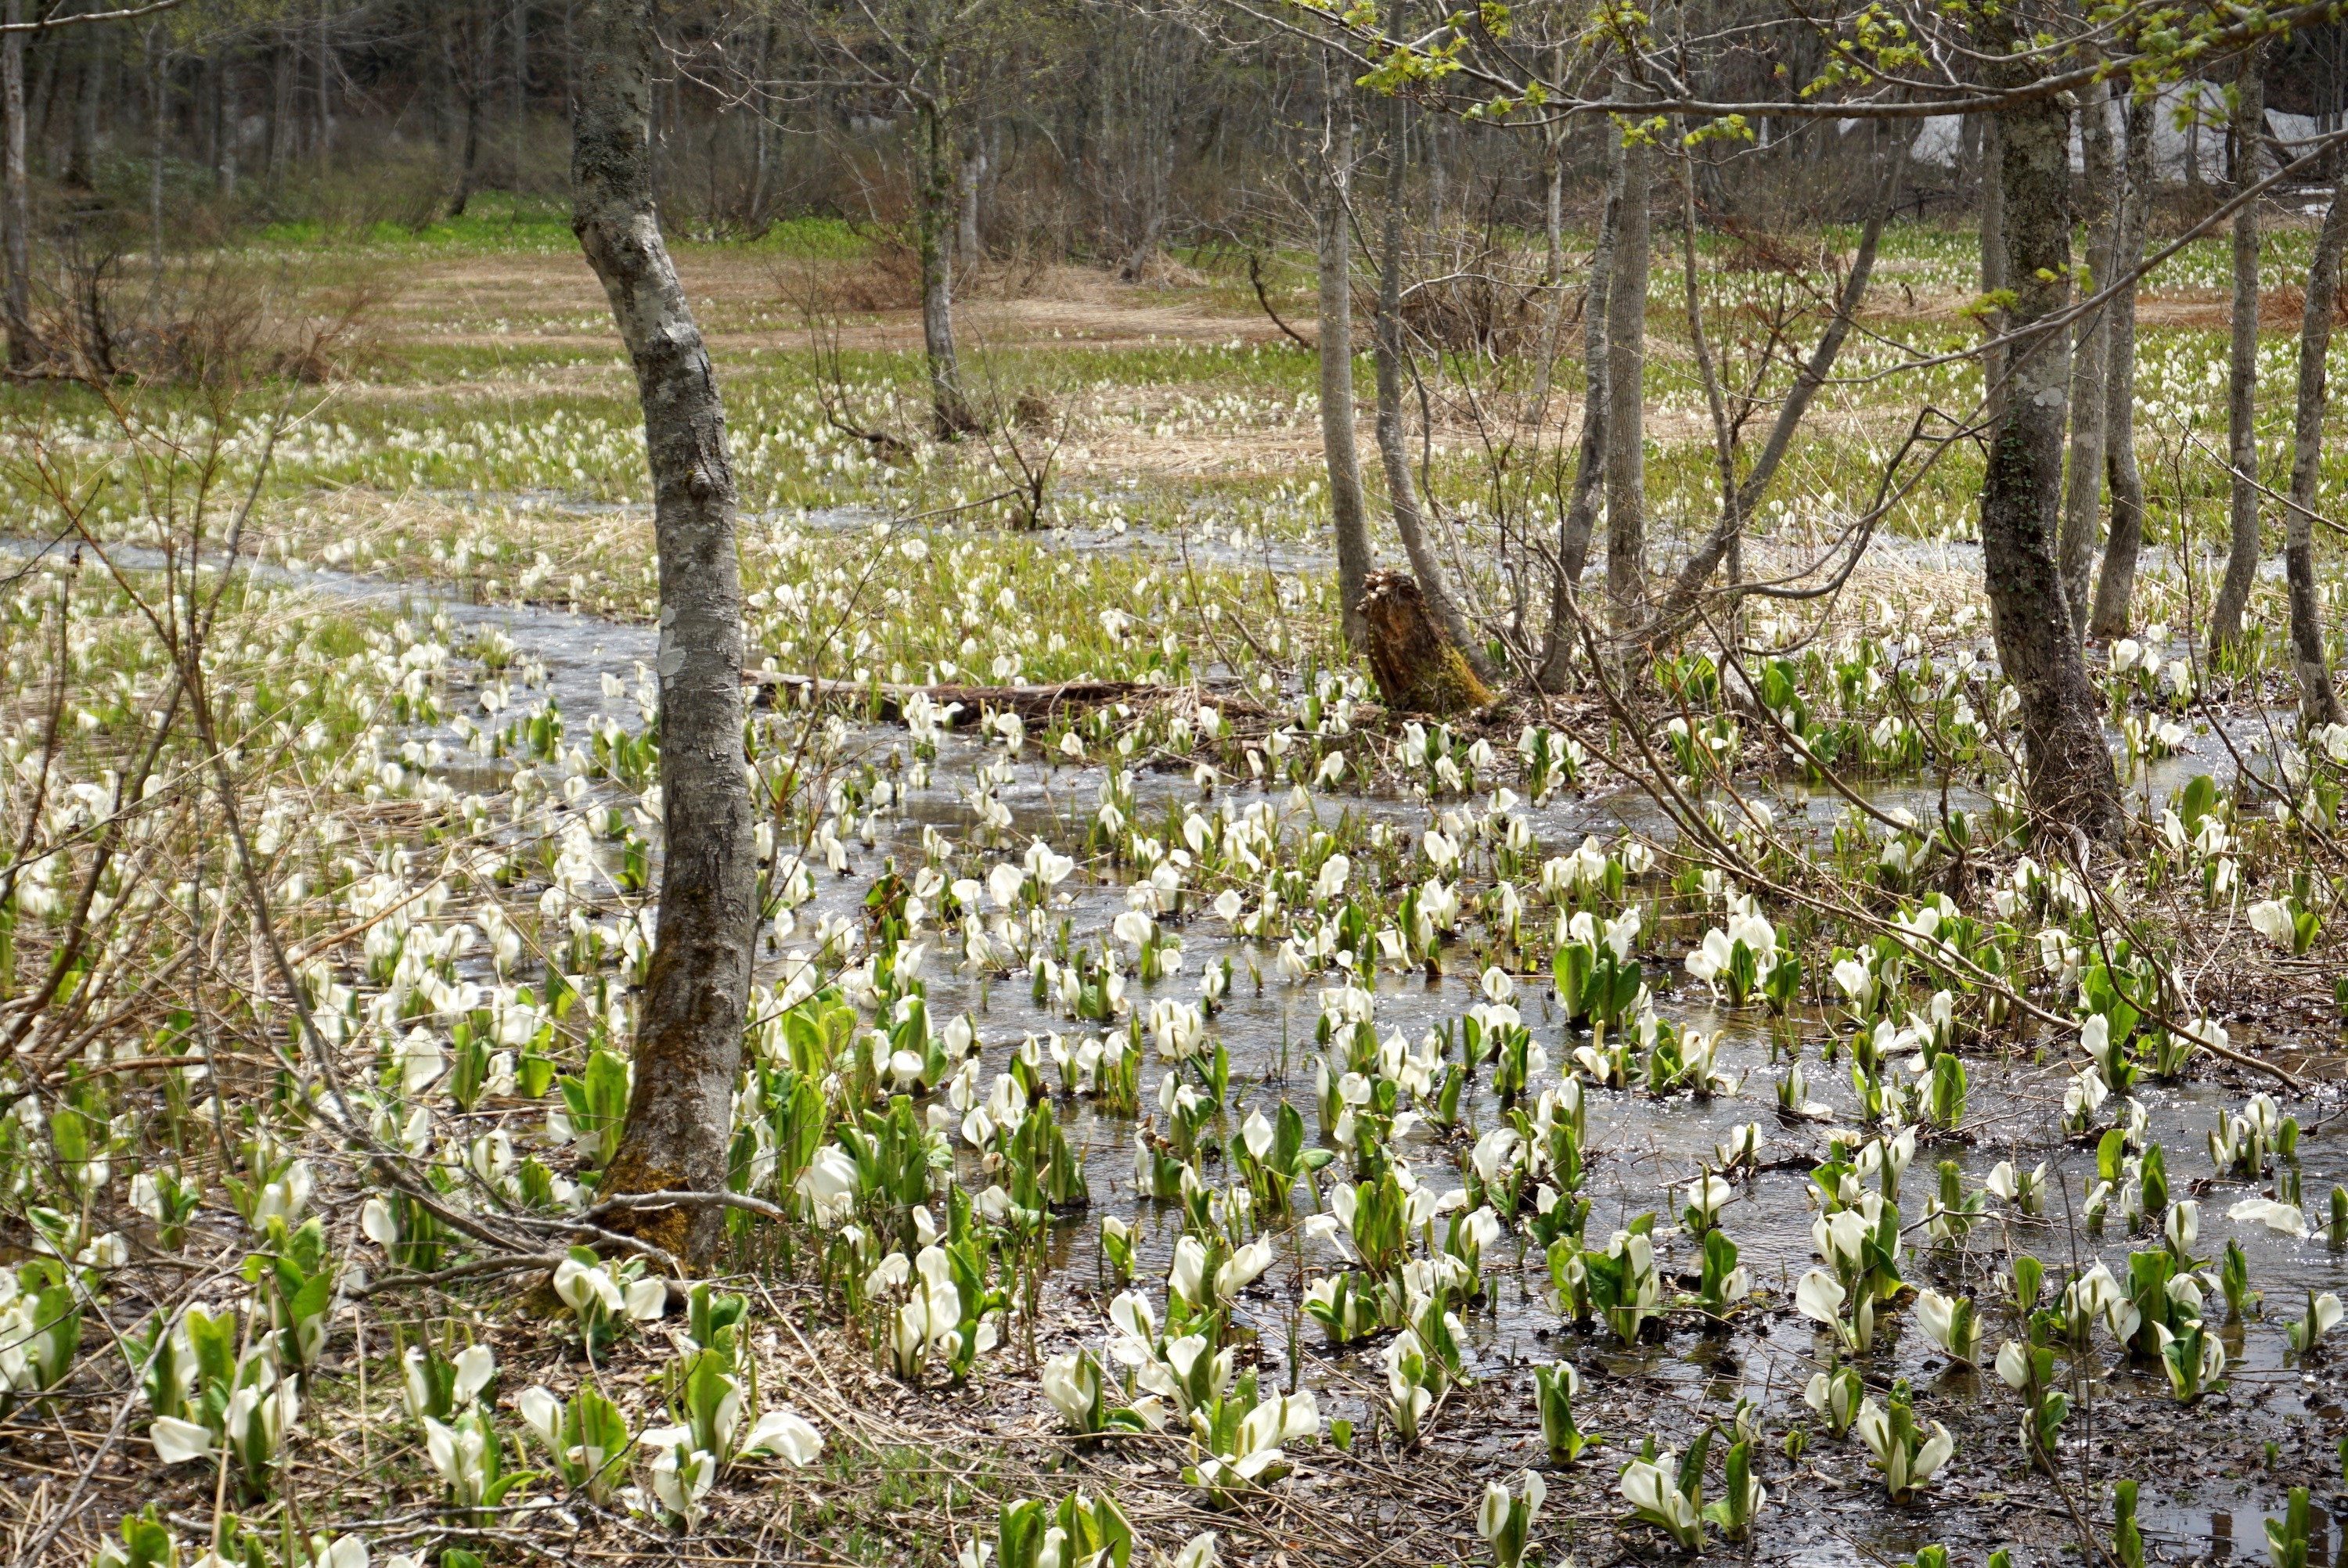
689 1039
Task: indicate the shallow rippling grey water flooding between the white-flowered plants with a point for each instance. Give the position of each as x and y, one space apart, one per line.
1638 1149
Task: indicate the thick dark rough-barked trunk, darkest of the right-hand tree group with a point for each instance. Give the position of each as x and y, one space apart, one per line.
2067 771
